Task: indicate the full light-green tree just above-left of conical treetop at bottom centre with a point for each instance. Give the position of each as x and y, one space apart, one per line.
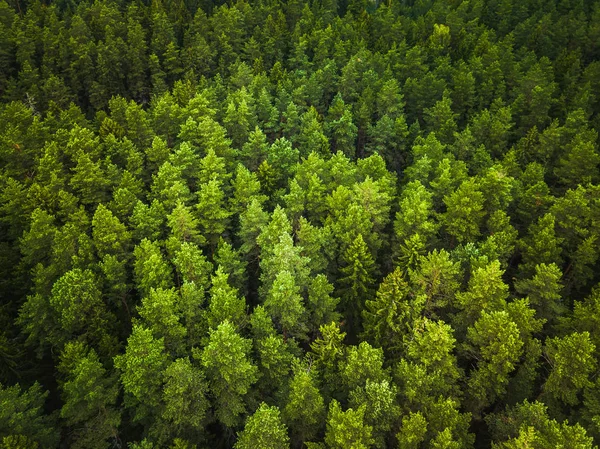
229 371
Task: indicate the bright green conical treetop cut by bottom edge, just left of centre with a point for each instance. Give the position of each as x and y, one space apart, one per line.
263 430
